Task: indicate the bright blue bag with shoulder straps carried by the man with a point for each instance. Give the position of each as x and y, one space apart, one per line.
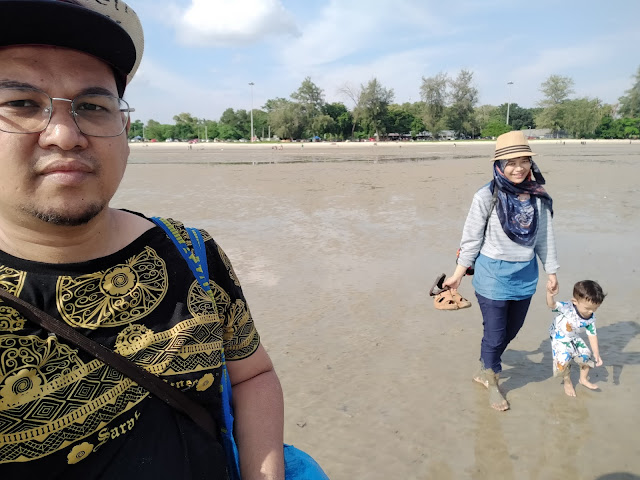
298 465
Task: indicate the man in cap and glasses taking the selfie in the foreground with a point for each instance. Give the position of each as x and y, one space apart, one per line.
110 275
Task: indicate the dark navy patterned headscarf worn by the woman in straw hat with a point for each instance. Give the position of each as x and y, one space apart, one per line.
517 222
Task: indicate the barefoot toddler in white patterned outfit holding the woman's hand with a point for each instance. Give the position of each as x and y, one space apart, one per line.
573 318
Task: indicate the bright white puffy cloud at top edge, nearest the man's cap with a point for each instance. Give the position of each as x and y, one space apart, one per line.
232 23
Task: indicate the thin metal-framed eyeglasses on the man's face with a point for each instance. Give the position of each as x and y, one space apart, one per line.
26 110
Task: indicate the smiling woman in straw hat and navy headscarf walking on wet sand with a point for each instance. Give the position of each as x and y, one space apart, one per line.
508 225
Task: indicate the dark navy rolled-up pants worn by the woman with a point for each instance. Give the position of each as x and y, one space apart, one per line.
502 320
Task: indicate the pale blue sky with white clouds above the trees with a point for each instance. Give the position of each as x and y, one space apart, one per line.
200 55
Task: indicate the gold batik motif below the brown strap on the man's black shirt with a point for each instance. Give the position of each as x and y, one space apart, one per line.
50 399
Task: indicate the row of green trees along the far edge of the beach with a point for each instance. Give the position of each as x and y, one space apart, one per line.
446 104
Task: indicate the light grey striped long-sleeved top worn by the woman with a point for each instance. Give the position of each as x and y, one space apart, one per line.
495 244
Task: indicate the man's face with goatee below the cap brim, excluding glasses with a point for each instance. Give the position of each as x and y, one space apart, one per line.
59 175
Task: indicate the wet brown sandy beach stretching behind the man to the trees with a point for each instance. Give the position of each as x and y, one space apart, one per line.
336 247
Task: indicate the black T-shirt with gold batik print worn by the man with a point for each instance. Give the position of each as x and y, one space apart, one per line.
64 414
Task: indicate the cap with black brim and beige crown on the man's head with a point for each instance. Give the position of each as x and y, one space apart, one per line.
109 30
